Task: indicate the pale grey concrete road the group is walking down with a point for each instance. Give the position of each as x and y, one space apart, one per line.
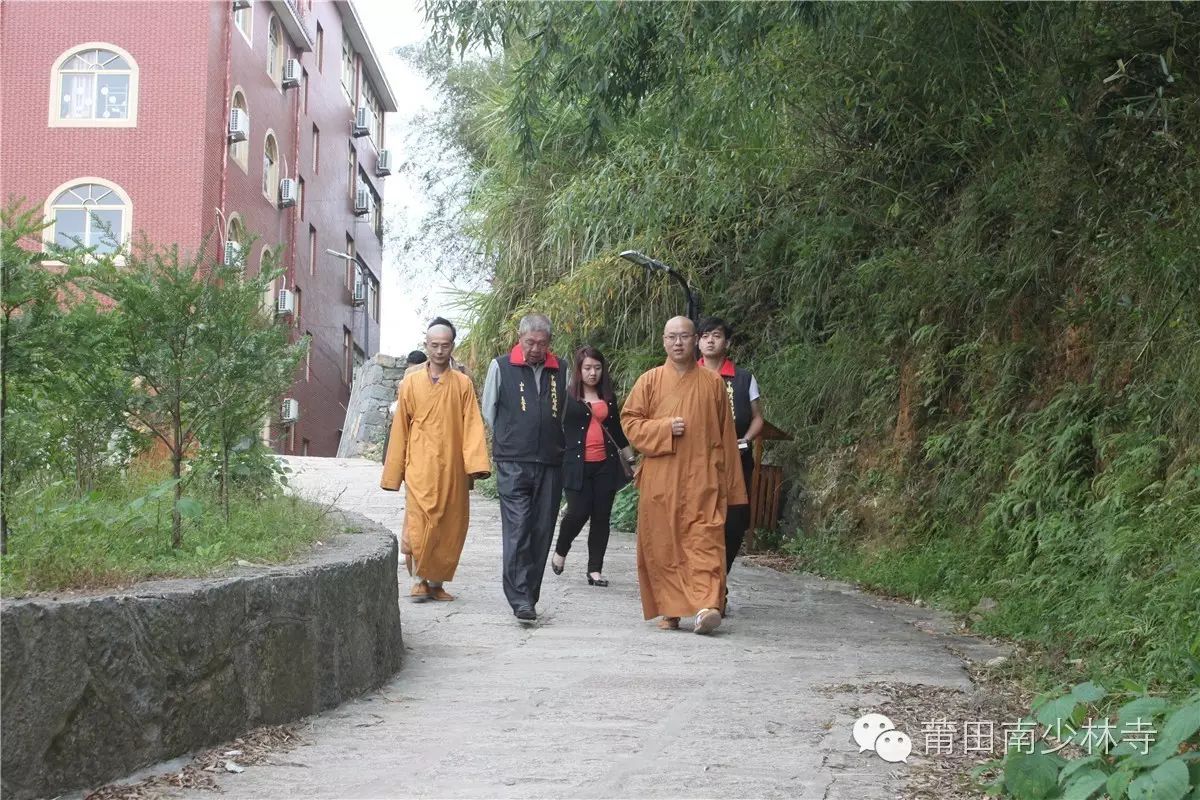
595 702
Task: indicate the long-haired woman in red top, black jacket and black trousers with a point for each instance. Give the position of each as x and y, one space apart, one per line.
592 471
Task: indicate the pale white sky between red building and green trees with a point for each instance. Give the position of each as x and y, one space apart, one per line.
413 292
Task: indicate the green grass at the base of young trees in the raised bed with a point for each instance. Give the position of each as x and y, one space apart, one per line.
121 533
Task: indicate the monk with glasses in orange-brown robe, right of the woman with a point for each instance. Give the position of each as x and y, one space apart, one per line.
679 418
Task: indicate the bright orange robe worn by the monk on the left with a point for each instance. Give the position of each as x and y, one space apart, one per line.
436 444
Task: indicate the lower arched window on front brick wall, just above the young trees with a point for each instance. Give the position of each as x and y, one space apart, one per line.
91 214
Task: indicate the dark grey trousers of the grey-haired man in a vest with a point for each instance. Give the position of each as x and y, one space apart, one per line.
530 498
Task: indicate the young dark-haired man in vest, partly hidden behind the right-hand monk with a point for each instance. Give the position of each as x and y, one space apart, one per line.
716 336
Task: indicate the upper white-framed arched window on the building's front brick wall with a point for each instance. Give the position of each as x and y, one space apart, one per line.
95 85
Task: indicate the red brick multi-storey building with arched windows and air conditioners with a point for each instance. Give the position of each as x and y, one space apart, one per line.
122 112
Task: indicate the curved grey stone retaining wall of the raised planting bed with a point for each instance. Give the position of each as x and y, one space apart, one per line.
97 688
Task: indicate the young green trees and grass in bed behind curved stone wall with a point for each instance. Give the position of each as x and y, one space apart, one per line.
119 368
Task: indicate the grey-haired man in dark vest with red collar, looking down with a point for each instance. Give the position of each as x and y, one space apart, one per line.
524 400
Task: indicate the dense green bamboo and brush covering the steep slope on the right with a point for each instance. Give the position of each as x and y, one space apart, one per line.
961 244
